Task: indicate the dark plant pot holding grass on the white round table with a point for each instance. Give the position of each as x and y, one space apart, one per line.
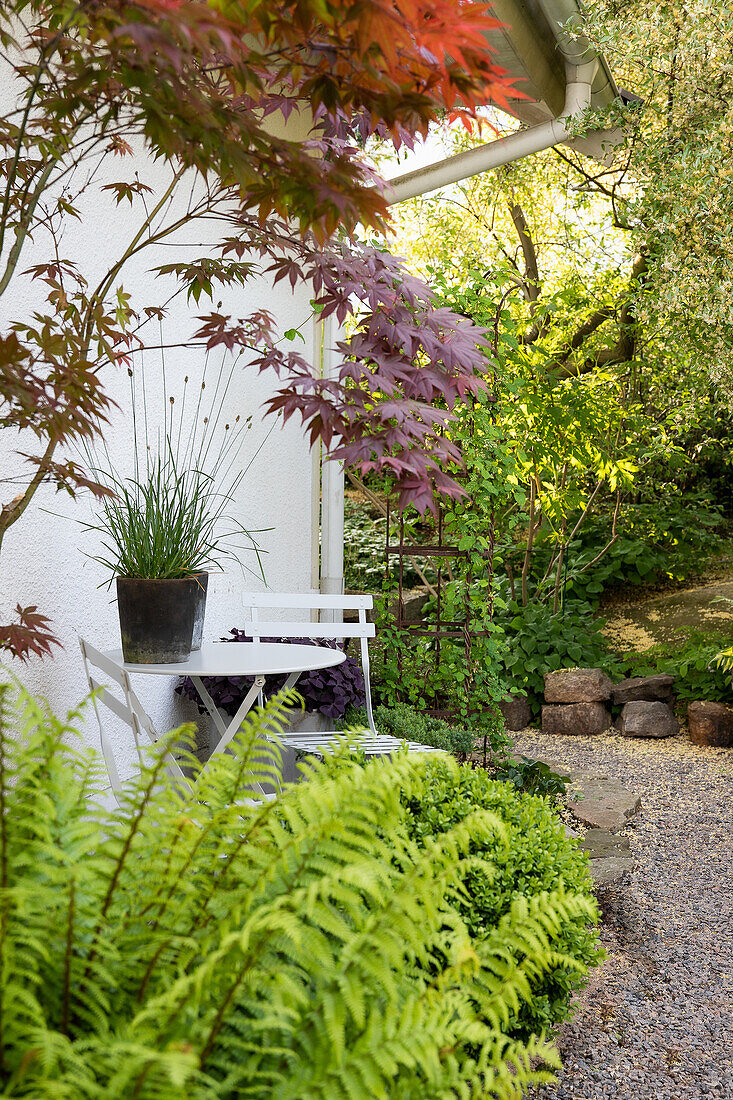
157 619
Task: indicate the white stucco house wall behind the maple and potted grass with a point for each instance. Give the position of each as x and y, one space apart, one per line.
43 558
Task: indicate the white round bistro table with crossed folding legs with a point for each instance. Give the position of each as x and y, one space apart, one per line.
259 659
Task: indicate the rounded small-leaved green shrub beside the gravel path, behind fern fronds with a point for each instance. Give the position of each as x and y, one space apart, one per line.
532 860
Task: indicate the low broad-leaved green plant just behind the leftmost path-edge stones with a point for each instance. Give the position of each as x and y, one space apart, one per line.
540 641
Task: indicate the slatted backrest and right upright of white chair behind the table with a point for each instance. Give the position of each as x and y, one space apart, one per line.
259 629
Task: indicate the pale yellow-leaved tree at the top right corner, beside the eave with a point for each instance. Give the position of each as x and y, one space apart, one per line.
672 186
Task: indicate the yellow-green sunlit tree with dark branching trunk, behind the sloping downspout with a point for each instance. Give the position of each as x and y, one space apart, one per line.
603 394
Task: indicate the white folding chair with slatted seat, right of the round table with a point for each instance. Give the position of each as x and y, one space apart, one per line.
373 743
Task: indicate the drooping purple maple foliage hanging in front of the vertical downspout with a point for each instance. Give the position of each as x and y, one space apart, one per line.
404 369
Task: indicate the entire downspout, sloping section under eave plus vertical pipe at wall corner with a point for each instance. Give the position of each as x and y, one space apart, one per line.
502 151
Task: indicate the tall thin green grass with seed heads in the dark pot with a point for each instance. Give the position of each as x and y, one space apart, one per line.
172 516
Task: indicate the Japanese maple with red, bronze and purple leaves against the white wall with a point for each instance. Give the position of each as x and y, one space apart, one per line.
203 87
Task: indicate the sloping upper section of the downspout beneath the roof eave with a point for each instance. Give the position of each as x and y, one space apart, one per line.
504 150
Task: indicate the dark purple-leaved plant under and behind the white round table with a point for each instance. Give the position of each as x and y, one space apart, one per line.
331 691
